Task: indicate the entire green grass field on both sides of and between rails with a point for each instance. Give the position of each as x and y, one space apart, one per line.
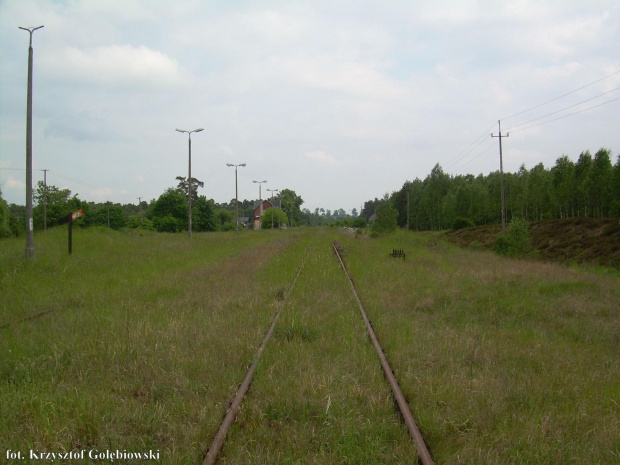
146 338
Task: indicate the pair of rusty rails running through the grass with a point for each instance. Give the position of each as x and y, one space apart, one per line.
423 454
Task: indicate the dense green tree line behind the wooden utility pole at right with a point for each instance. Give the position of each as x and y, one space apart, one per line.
588 187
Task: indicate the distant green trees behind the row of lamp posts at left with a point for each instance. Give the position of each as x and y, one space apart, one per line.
167 213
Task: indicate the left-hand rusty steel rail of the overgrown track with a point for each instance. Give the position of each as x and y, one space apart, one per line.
220 437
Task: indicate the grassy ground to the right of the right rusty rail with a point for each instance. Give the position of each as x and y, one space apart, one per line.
503 361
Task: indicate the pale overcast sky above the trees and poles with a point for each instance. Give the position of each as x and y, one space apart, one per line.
340 101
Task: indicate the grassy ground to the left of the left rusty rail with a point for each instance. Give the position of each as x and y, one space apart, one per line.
146 341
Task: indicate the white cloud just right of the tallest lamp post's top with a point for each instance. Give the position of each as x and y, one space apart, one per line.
115 65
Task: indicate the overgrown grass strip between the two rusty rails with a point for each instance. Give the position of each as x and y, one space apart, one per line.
318 395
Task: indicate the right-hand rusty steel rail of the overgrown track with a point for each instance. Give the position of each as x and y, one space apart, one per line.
424 455
